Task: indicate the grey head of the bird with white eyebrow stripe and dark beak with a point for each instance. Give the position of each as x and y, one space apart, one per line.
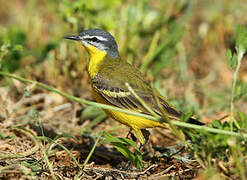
95 40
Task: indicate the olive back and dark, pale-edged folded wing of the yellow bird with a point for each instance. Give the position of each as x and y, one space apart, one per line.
111 81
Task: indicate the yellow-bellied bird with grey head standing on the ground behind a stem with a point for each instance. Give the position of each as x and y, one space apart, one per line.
109 76
